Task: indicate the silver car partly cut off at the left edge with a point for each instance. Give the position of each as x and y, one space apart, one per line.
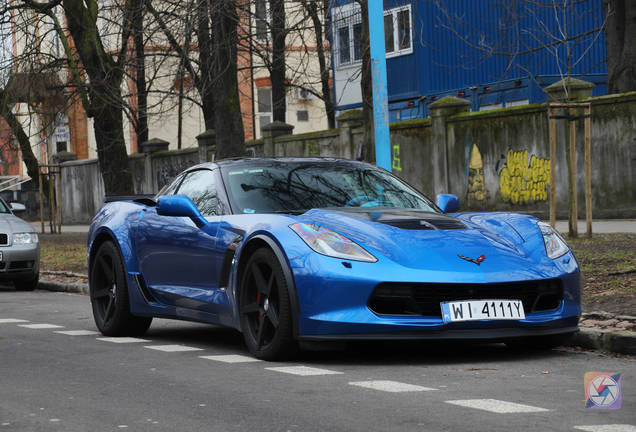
19 250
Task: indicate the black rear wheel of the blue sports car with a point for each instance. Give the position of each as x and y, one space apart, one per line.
109 295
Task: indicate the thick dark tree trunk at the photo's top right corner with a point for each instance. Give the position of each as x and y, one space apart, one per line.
620 42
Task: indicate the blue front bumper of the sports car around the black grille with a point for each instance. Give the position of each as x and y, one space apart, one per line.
332 302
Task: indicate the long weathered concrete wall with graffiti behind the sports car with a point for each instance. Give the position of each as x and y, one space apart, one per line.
493 160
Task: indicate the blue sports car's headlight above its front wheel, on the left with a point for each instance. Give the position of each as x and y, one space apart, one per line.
330 243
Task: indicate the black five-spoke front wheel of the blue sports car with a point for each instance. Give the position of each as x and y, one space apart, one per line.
265 309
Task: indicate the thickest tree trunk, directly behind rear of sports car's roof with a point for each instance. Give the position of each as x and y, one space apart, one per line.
230 138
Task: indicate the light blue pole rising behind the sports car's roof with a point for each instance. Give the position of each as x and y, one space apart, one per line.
378 75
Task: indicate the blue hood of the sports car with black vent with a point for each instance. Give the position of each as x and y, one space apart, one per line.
426 240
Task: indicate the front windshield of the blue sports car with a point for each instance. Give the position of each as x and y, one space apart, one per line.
295 187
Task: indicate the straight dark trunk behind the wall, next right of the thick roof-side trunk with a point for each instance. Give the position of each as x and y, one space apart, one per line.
277 73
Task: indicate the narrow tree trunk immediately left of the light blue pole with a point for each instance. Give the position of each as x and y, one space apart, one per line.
366 83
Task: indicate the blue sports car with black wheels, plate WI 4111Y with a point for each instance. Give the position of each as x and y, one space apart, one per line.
298 250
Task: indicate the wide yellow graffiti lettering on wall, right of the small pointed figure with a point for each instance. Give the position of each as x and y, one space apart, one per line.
520 183
